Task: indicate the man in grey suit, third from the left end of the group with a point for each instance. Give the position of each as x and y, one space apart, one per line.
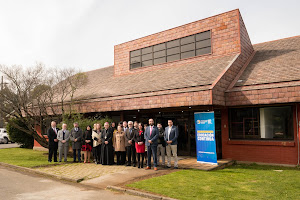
76 137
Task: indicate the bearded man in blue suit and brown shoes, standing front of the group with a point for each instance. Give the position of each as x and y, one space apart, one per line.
151 137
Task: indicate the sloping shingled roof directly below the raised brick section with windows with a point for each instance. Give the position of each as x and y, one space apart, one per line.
103 83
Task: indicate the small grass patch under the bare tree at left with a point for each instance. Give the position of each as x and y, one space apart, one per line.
25 157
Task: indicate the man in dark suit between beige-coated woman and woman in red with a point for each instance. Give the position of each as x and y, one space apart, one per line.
130 144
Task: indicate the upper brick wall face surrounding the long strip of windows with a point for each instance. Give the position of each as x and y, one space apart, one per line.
225 40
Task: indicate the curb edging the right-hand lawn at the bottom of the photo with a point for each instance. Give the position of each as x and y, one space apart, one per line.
138 193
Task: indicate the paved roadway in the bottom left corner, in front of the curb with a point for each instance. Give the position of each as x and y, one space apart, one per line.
15 185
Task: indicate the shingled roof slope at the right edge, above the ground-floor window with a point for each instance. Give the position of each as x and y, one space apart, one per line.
274 62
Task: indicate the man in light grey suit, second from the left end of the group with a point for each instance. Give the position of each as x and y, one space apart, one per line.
63 137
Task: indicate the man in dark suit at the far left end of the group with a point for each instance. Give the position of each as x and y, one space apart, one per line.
52 141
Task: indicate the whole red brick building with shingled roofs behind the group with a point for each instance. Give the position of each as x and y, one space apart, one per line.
207 65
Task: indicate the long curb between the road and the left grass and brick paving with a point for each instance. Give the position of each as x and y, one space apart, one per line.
19 168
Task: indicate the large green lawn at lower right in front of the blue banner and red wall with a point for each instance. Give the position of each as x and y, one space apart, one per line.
235 182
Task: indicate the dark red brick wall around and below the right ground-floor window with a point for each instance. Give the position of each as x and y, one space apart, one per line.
258 151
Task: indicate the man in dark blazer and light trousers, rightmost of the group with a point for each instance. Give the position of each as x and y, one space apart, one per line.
171 135
